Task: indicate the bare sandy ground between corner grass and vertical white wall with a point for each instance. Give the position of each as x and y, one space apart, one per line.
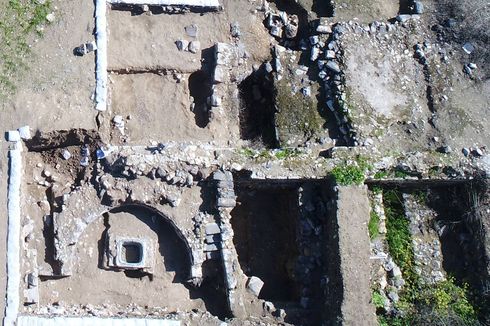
57 89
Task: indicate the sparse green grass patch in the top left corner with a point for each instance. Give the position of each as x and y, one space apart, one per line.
19 19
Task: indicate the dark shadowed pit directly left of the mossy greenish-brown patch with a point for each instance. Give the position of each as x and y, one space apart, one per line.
257 109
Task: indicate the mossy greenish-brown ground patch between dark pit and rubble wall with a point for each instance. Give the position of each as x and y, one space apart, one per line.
297 115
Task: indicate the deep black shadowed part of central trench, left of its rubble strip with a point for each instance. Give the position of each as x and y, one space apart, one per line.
264 223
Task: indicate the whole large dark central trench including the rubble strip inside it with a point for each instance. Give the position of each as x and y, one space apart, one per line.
281 236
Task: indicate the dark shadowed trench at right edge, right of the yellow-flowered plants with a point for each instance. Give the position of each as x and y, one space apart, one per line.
458 211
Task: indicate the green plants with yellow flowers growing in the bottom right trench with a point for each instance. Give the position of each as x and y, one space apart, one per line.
443 303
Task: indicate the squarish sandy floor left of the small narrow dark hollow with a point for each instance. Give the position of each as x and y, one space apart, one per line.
146 99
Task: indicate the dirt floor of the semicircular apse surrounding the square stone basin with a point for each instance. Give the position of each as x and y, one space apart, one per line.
95 286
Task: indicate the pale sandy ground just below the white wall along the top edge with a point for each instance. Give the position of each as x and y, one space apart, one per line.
148 41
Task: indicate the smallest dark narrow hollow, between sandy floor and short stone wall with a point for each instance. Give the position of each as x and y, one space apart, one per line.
200 88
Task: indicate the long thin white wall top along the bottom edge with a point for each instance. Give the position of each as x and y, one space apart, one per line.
93 321
